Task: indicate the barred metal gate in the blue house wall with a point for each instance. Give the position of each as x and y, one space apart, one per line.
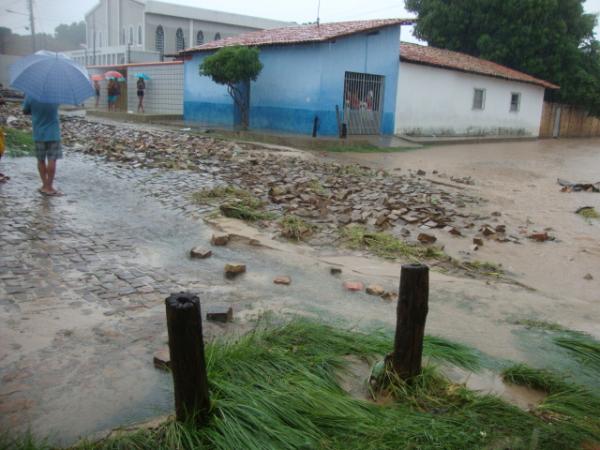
363 102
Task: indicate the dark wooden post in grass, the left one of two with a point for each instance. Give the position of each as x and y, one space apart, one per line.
186 346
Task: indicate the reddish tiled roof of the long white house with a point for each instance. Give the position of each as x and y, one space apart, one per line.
447 59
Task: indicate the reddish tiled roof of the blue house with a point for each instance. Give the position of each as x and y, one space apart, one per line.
300 34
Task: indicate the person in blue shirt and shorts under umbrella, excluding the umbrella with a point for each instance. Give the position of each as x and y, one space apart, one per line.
46 134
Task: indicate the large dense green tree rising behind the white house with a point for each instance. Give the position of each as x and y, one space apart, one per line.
550 39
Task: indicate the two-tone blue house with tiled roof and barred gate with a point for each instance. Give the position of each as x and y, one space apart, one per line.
316 78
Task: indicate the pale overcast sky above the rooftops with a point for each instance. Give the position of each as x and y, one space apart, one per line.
51 13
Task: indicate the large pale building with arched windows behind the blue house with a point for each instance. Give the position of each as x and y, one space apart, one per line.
136 31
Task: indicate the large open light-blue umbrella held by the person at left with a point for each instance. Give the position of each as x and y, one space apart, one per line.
50 77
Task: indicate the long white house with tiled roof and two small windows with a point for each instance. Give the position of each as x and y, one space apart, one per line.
468 97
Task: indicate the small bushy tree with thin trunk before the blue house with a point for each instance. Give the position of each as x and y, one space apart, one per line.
235 67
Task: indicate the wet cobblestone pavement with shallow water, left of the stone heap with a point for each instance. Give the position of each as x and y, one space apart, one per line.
82 283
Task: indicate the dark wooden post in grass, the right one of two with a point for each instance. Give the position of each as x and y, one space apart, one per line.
411 314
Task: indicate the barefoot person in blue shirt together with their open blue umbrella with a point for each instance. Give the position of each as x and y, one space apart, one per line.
49 79
